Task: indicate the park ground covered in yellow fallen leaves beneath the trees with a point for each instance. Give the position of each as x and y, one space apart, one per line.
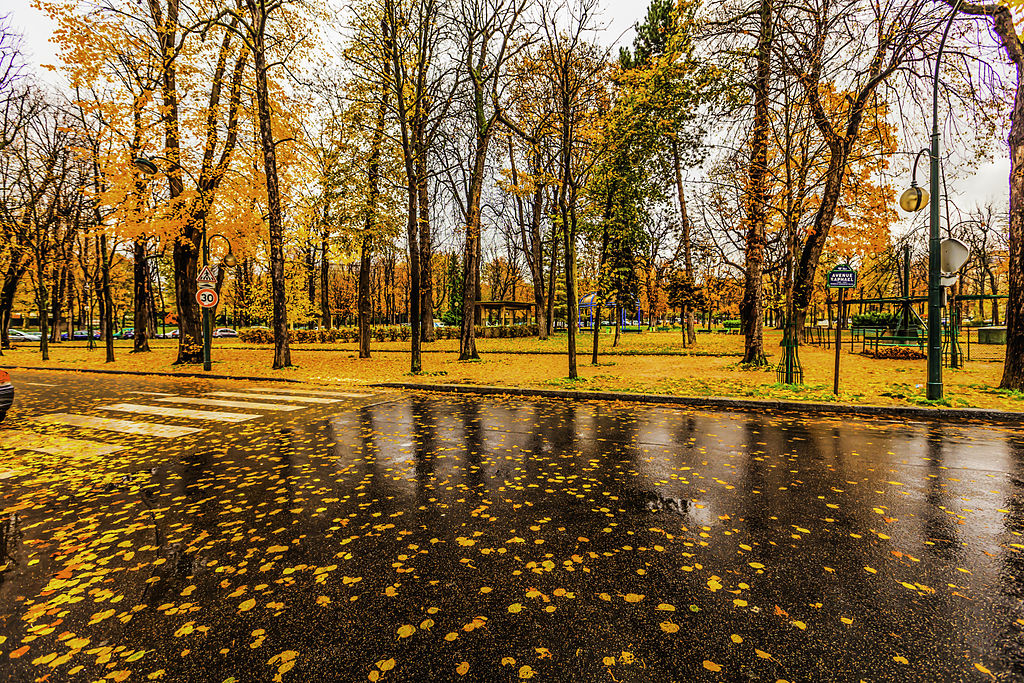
710 369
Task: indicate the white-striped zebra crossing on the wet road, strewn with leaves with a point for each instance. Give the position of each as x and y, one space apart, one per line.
198 411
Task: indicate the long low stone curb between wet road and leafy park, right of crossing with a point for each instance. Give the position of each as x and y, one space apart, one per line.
745 405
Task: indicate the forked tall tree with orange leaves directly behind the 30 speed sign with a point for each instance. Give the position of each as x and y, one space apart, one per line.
199 77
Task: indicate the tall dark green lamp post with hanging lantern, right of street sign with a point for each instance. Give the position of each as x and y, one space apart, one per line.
913 200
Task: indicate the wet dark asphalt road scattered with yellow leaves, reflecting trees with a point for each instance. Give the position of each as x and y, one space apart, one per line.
416 538
